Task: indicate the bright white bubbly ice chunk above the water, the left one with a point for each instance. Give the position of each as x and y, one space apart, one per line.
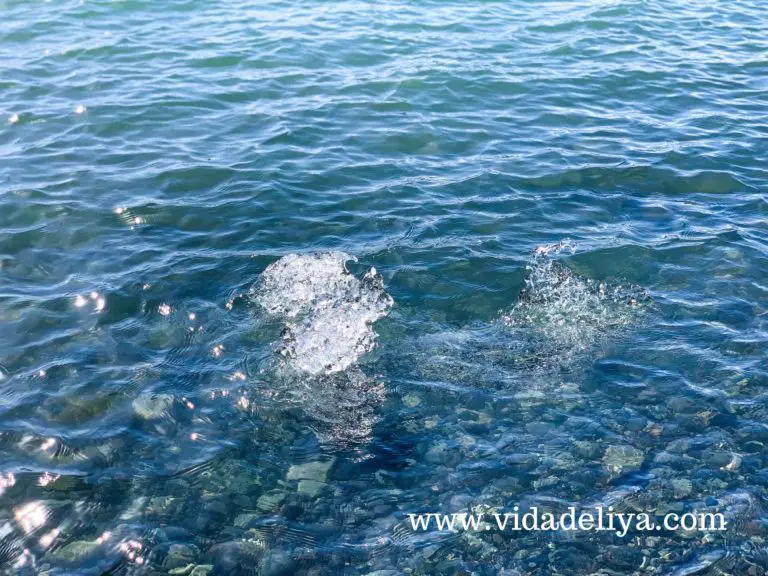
328 312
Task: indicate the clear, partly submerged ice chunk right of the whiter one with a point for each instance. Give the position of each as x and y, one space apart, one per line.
559 324
